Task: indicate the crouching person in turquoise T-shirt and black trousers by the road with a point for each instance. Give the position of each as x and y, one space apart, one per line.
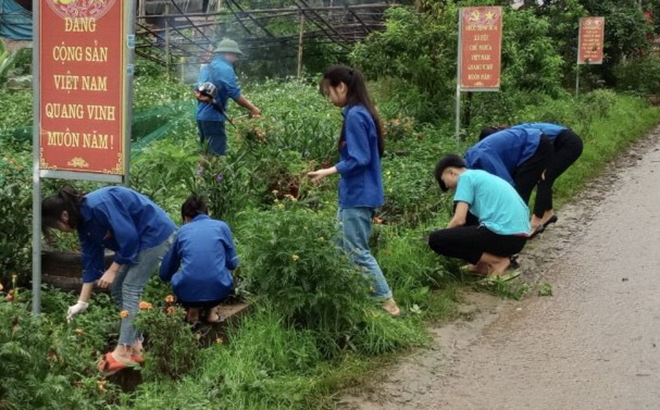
503 219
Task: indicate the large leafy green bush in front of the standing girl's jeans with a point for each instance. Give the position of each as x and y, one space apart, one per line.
293 261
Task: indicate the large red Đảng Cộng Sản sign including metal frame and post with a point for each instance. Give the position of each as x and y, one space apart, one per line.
83 71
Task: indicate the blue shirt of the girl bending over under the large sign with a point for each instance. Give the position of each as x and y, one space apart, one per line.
120 219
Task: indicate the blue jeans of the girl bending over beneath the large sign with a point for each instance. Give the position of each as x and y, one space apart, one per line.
130 282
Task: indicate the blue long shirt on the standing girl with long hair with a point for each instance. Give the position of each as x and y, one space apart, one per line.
361 182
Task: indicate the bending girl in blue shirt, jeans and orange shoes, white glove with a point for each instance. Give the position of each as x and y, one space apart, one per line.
137 230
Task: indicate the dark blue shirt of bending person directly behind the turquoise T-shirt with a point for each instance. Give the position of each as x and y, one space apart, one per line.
502 152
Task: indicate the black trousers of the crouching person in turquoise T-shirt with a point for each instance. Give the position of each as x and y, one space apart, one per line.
470 242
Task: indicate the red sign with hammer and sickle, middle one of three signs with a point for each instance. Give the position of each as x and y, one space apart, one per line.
480 48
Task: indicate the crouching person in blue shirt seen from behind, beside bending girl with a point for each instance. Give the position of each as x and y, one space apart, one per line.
200 261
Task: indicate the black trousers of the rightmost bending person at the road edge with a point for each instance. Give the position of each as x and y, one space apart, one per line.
568 148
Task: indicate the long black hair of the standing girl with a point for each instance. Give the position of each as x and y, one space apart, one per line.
356 94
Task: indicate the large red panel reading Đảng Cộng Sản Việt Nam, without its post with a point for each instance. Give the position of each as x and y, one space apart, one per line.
81 82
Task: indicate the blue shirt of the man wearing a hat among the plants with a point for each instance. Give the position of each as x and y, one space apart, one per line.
221 73
